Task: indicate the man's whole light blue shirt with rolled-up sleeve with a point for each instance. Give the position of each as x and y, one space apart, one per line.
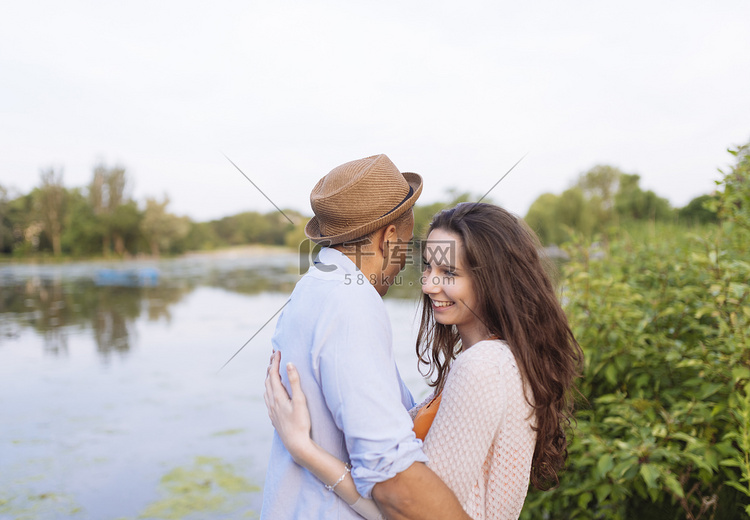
336 331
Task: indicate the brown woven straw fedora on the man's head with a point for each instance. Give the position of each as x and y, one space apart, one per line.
358 197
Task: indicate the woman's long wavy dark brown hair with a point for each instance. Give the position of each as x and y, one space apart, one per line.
517 302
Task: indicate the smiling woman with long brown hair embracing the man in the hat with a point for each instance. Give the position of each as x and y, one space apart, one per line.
504 362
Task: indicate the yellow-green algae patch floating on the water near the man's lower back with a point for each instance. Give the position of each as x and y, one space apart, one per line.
209 485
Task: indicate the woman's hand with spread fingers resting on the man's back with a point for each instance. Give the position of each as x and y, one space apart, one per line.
289 415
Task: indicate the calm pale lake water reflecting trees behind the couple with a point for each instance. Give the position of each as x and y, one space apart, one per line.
112 405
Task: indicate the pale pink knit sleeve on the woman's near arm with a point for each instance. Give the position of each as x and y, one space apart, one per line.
471 411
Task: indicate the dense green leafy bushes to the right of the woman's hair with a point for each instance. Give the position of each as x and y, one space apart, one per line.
663 319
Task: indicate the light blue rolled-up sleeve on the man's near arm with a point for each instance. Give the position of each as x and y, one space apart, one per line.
362 388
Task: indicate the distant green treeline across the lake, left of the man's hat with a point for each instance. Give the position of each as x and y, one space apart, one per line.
101 219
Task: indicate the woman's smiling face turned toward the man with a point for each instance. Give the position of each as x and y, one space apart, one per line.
448 283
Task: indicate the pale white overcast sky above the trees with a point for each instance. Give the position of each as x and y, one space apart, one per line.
455 91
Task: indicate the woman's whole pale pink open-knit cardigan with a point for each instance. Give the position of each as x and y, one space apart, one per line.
481 442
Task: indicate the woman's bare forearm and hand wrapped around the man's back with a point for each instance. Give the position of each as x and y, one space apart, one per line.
291 418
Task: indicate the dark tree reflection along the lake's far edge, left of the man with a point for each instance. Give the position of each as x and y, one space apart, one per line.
57 301
